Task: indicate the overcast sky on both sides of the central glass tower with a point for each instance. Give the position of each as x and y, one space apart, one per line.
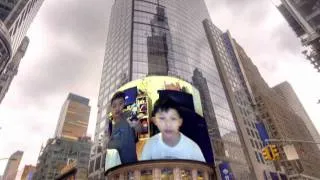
66 52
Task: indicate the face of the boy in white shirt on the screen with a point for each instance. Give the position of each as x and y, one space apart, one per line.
169 123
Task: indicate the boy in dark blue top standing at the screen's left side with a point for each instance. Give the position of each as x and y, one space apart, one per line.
123 134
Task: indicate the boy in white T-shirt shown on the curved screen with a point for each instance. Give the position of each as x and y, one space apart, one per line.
170 143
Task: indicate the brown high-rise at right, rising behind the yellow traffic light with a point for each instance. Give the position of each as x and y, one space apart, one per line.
283 124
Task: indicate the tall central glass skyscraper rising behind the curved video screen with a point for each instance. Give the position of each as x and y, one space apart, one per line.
166 38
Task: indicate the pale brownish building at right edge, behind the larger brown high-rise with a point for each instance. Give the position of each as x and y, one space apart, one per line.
286 91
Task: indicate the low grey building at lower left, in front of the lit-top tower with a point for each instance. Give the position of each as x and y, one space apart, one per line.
59 152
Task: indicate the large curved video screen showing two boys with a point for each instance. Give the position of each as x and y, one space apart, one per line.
165 116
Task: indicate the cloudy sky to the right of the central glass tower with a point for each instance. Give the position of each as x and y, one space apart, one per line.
272 45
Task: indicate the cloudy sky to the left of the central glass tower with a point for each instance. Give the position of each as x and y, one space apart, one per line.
64 37
